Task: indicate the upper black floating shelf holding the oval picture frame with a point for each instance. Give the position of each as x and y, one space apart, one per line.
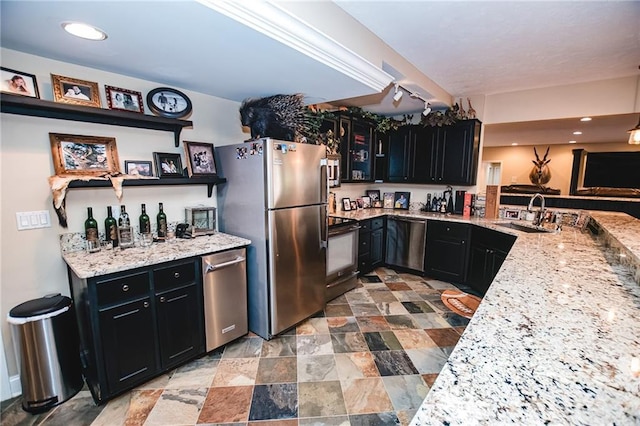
24 105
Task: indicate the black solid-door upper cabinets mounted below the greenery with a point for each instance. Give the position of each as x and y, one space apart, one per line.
439 155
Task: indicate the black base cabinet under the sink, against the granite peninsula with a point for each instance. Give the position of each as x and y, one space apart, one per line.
488 251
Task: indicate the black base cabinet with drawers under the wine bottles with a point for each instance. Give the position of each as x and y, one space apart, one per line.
137 324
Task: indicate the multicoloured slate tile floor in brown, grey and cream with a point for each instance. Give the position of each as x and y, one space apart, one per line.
368 359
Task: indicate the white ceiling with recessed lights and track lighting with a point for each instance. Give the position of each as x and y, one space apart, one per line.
474 47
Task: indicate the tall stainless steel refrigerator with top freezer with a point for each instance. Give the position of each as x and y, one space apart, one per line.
276 195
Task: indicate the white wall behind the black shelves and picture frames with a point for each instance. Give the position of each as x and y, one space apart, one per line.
30 262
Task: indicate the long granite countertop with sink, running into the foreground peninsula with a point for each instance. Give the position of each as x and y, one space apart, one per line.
556 339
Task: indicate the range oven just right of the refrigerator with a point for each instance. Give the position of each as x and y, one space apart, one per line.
342 256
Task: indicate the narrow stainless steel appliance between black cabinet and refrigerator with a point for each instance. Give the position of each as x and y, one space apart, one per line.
224 277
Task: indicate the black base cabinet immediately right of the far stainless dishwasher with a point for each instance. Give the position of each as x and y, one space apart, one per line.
447 250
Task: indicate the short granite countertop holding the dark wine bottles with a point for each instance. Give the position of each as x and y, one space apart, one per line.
87 265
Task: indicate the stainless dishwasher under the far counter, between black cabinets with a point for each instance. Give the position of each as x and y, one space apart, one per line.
406 243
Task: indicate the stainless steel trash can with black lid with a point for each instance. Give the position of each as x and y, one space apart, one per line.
45 336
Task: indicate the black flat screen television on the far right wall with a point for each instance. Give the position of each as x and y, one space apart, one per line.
612 170
